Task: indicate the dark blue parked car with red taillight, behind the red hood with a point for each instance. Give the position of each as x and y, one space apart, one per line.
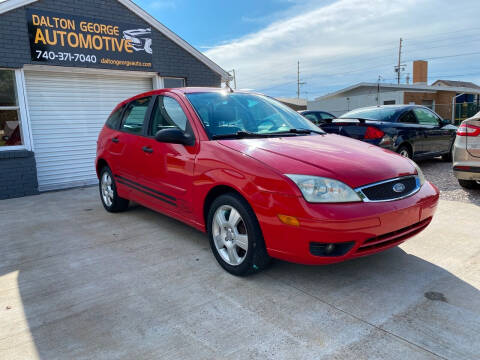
413 131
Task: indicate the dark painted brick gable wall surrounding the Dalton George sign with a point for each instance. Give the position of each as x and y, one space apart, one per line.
169 59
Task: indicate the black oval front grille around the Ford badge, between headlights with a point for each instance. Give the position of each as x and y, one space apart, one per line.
384 191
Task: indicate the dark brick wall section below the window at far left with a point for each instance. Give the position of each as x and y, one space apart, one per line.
18 174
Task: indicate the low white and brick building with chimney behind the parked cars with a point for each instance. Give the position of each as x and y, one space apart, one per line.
438 96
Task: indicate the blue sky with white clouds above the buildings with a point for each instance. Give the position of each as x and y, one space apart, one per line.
337 42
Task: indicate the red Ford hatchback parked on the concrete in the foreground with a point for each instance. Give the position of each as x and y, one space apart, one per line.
259 178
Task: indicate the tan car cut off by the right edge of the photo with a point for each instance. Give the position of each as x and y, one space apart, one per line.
466 153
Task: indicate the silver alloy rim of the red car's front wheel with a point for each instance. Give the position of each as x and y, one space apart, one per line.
230 235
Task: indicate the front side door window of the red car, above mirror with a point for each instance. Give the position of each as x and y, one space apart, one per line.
167 114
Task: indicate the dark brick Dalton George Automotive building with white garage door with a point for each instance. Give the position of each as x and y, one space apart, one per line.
64 65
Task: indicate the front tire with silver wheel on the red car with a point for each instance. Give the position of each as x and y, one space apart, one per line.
235 236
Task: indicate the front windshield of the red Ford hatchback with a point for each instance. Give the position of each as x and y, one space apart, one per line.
224 114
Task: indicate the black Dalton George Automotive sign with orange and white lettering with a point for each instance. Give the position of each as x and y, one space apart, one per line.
74 40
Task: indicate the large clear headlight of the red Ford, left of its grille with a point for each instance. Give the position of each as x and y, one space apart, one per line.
323 190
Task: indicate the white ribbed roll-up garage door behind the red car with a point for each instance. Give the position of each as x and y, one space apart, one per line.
67 111
